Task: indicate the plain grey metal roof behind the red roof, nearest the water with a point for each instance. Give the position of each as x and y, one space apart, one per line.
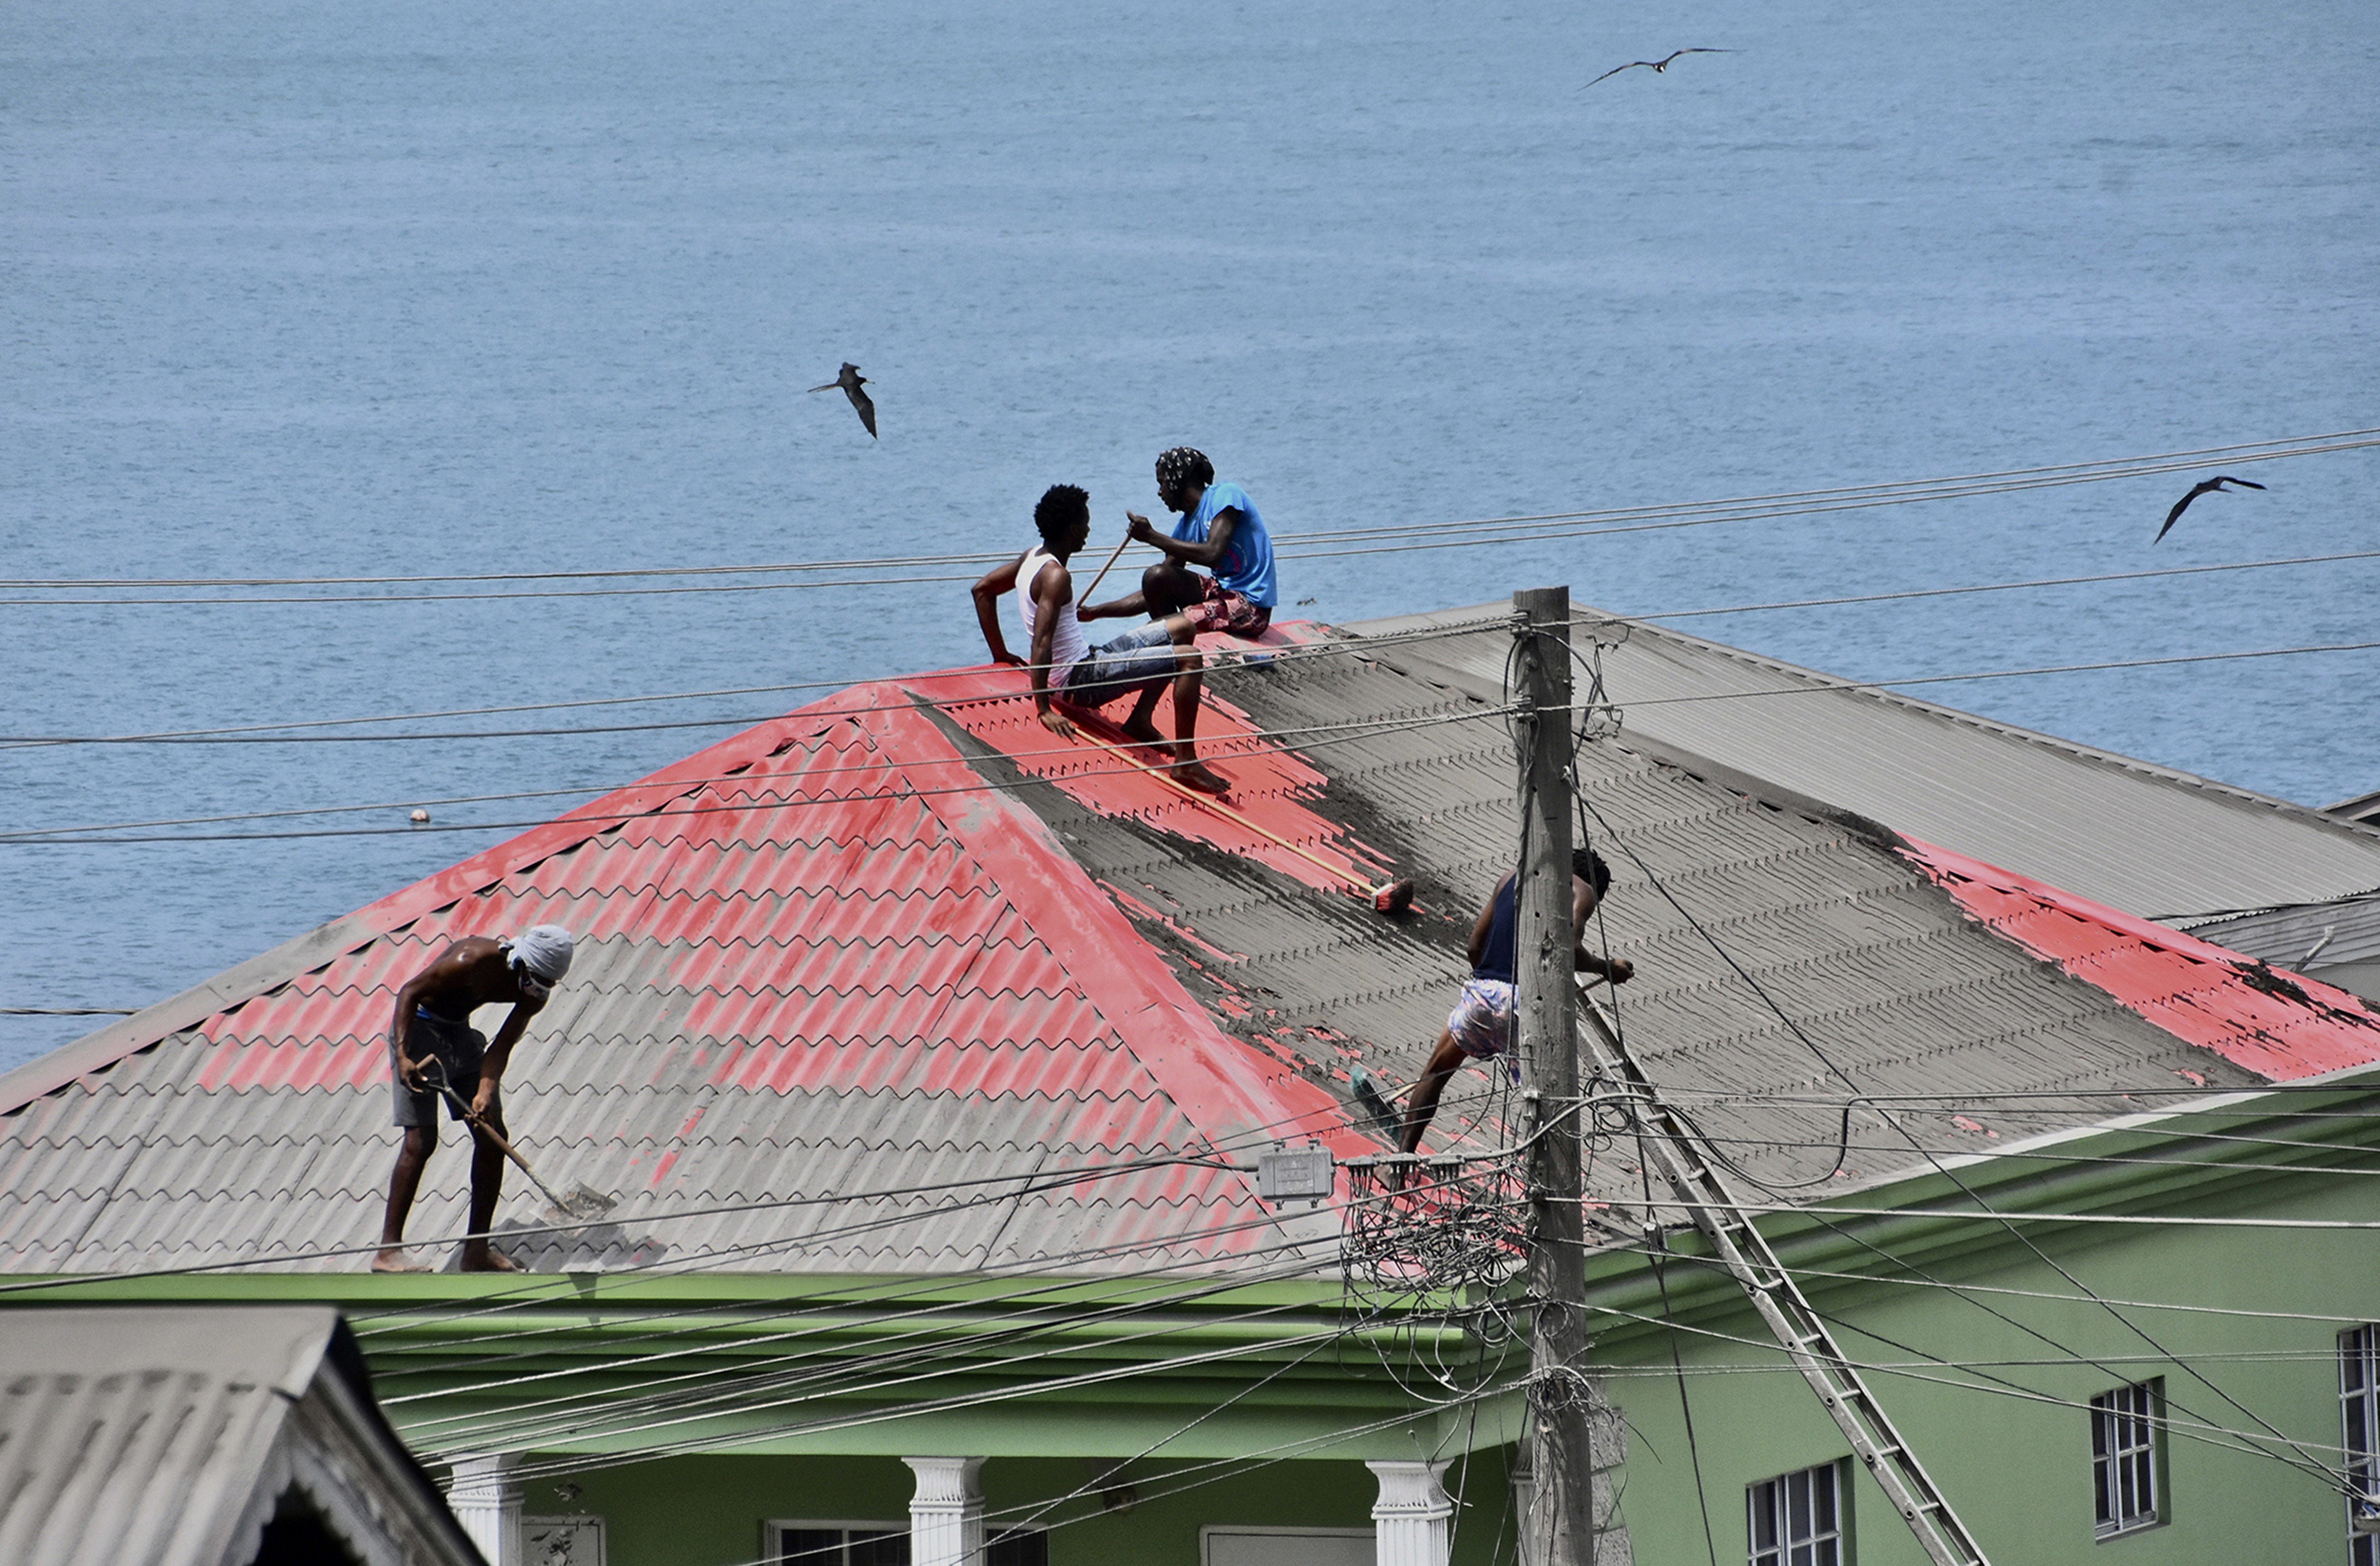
2141 839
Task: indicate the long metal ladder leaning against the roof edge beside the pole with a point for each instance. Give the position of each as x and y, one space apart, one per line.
1798 1329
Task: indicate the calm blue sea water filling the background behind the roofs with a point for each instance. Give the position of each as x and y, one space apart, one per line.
418 287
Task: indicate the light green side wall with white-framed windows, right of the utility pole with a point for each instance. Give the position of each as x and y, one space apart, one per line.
2015 1470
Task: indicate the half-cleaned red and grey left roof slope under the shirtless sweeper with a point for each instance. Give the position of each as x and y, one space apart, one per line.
818 960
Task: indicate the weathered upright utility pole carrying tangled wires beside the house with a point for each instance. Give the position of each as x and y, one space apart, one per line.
1560 1524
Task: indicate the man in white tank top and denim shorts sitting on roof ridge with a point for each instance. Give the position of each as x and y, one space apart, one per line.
1065 668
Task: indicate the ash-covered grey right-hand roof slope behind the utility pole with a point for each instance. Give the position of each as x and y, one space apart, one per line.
1760 927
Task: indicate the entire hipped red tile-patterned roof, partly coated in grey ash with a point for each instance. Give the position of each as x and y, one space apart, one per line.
884 946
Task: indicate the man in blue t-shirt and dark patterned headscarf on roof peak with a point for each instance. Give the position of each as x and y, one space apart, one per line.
1220 530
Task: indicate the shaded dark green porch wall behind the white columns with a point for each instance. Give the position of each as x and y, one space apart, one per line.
710 1510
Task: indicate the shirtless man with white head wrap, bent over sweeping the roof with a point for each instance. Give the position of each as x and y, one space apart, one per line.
432 1041
